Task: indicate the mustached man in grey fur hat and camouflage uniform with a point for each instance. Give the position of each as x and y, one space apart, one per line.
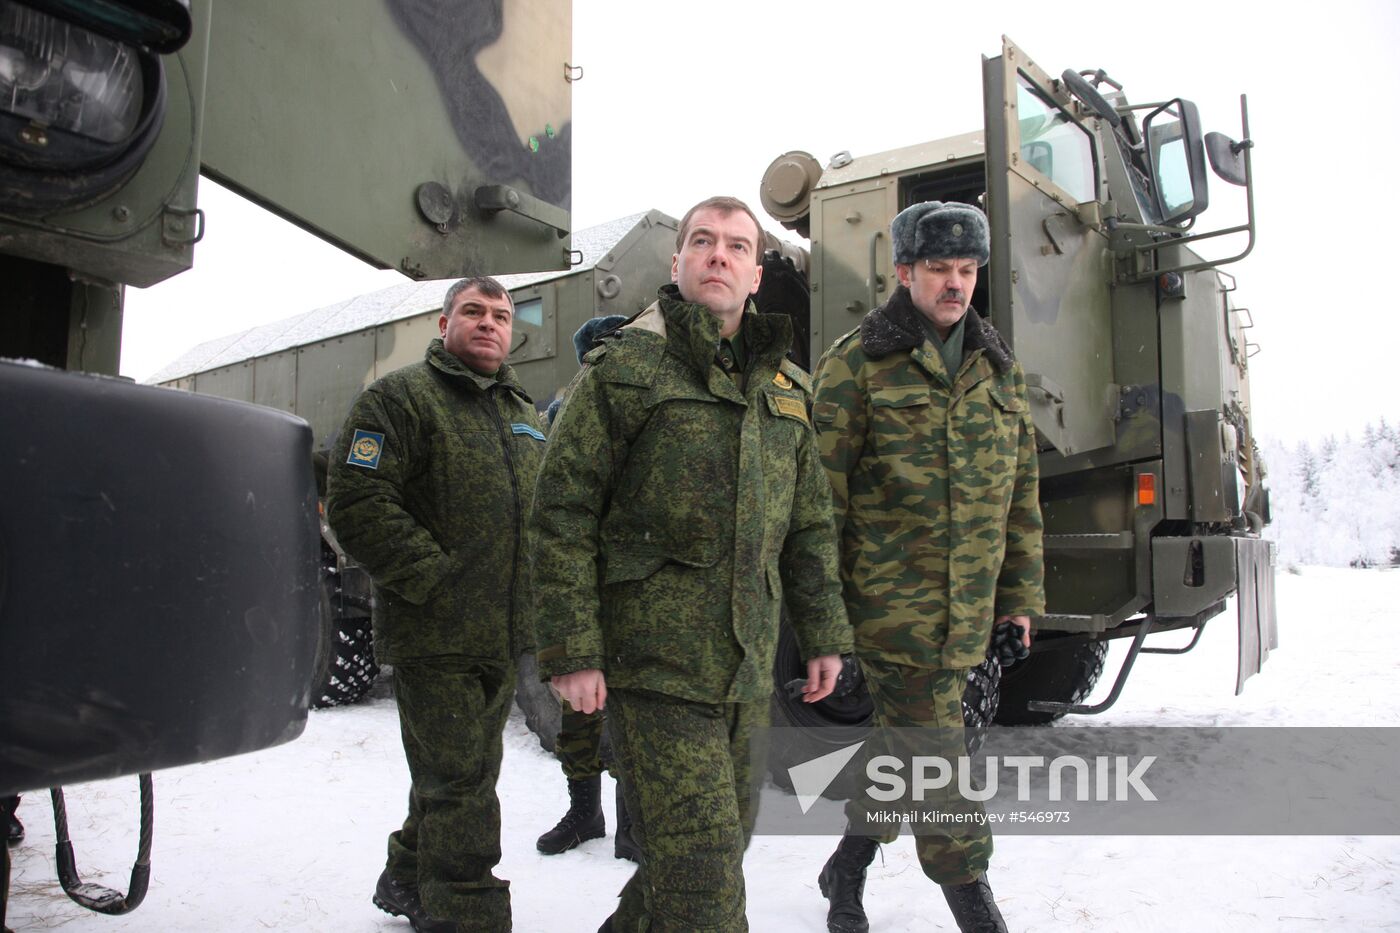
926 435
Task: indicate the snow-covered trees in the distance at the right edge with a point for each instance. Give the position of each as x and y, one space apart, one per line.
1338 502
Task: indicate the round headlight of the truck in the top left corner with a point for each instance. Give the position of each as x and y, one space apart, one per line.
64 78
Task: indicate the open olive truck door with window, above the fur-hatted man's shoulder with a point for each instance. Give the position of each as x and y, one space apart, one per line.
1051 267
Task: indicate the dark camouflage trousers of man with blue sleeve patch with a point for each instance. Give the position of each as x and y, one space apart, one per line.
451 715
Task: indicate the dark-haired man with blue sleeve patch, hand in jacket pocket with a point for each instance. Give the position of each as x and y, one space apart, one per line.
429 488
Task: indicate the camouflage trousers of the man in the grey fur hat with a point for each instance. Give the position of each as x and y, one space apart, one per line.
930 701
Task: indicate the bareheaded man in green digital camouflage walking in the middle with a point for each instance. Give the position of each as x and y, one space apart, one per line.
681 501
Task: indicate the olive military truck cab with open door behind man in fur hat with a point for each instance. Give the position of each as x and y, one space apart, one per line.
1136 357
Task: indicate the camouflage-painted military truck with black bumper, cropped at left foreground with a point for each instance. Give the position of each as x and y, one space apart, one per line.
159 551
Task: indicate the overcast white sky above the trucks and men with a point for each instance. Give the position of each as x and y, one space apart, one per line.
682 102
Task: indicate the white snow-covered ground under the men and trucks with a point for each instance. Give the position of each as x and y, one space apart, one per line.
293 838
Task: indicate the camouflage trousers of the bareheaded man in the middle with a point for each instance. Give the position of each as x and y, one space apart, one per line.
692 796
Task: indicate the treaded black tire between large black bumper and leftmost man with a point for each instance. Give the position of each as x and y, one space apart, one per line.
345 661
